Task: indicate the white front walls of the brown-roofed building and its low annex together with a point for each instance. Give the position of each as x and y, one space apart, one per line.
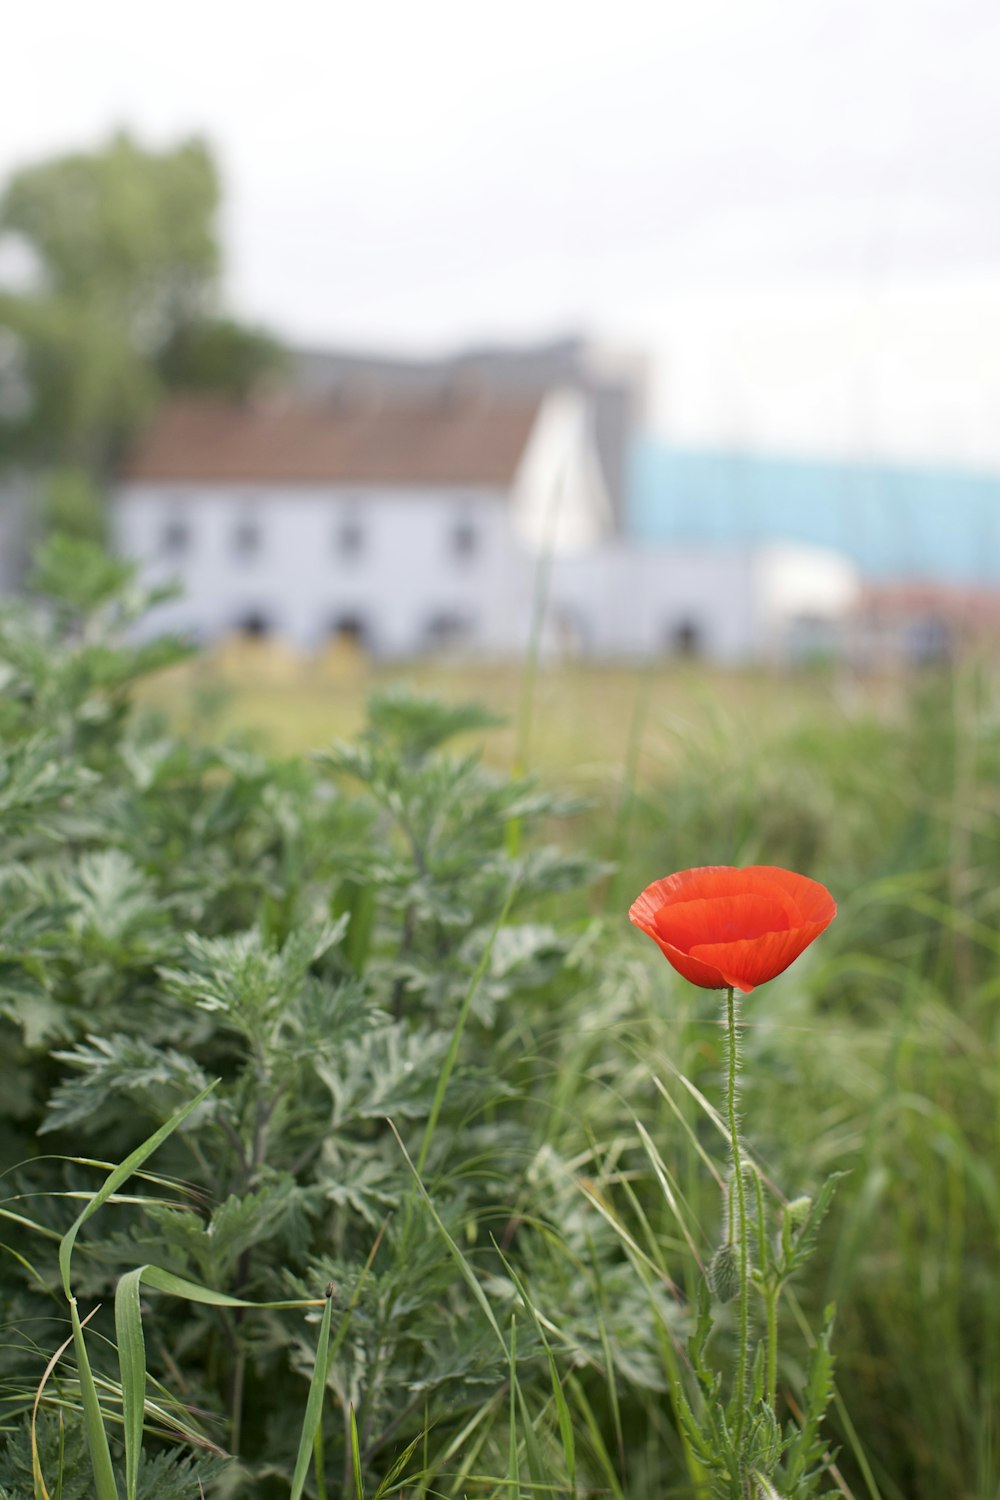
614 601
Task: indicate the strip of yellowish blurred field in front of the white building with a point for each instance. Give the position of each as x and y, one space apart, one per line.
585 721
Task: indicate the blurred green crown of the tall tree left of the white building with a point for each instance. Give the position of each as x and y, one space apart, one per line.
127 271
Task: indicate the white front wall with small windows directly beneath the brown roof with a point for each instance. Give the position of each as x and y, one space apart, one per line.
404 575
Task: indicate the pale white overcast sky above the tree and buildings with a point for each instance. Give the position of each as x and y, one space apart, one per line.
789 208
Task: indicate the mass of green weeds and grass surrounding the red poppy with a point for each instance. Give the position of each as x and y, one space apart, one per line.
421 1153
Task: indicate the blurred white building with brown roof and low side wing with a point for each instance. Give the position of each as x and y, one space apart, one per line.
415 523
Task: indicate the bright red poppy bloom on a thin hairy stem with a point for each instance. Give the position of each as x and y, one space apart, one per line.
722 926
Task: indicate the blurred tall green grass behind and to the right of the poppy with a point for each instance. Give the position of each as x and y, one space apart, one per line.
881 1058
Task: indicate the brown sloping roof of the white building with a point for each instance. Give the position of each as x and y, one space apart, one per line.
449 440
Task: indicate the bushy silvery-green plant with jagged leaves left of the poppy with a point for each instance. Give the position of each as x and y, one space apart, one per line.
308 935
